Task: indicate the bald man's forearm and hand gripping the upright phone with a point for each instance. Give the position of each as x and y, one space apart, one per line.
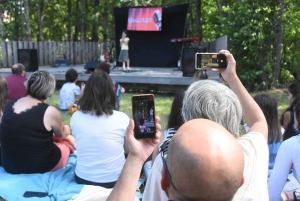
139 151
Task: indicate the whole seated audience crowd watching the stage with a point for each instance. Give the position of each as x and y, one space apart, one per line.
201 155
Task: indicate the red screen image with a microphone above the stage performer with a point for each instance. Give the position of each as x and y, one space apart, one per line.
144 19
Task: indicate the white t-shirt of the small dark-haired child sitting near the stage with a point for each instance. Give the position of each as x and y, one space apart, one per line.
67 95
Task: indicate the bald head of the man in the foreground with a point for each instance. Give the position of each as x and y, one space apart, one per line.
205 162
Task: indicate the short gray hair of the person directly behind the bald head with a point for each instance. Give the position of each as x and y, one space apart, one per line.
214 101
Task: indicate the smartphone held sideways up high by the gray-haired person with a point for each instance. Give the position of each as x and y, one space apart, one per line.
210 60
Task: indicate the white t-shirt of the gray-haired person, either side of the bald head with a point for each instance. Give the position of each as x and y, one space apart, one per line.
256 155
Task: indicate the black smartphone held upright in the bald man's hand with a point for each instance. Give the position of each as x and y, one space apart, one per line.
143 113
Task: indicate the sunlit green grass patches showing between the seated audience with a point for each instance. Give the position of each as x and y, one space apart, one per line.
163 104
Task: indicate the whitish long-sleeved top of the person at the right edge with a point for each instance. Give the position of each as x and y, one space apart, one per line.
287 157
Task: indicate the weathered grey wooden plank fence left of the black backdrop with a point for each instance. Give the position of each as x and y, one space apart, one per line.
48 52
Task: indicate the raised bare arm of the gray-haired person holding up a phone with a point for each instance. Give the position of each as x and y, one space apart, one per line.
251 111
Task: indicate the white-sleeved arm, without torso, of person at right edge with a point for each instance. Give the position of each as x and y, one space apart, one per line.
281 169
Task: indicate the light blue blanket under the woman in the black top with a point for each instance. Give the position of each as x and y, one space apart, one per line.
60 185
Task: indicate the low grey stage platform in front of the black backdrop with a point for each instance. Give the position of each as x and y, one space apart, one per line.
140 78
